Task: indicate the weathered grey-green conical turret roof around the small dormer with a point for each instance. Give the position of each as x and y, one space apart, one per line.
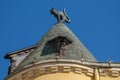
75 50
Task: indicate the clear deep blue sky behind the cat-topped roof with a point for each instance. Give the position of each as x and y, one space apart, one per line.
95 22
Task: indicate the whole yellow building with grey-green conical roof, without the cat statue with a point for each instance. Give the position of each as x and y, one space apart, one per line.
59 55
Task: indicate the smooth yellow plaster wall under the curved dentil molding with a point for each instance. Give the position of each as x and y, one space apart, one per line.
63 76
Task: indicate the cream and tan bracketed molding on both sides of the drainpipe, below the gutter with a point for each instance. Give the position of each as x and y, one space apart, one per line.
50 67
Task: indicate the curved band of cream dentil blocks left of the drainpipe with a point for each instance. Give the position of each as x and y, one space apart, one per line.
49 69
